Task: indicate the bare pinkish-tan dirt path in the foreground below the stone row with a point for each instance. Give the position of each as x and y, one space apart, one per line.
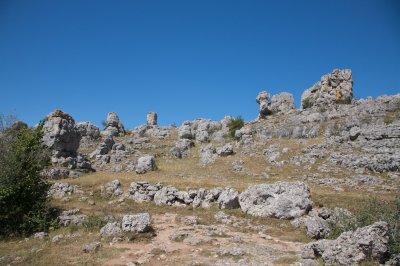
205 247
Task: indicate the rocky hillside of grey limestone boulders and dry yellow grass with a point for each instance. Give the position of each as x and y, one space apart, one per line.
281 192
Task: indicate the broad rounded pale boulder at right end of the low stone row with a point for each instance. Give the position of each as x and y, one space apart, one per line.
281 200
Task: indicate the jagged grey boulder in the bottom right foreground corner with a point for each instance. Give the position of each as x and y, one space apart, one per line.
352 247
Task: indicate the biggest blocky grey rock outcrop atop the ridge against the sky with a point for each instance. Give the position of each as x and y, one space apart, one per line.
333 88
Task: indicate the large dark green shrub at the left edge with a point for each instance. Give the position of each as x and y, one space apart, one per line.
24 206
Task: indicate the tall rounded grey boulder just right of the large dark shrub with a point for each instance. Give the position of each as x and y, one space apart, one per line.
60 133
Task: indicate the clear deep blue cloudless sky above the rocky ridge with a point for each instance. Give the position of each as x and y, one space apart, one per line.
187 59
